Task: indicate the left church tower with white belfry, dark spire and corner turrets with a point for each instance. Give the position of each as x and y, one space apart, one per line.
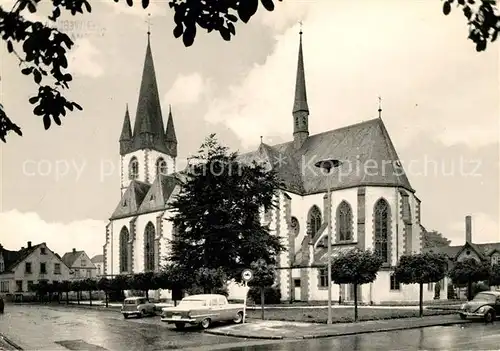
150 149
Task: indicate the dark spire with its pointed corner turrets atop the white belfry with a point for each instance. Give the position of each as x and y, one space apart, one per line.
149 131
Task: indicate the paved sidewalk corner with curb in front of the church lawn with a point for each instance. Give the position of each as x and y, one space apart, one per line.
258 329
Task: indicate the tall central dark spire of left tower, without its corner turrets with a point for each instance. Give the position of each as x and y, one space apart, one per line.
148 127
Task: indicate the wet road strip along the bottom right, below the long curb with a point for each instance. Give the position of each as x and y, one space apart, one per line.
475 336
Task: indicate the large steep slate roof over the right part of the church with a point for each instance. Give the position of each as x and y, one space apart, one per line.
367 153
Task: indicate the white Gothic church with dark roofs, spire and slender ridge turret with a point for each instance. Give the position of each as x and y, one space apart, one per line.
372 204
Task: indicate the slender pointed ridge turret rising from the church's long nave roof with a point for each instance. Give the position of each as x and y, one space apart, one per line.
300 108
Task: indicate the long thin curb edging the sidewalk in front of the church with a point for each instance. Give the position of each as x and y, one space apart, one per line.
329 335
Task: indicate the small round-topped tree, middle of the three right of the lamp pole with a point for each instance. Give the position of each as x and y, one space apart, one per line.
421 269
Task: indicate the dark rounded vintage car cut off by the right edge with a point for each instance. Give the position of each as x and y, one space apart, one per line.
485 305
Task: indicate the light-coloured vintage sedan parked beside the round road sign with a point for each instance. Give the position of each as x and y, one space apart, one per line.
202 310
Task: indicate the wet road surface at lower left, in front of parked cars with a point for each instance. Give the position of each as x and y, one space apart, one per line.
65 328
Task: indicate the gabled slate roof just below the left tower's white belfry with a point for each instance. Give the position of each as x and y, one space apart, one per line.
142 197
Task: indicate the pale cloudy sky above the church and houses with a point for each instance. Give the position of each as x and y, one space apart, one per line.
440 101
